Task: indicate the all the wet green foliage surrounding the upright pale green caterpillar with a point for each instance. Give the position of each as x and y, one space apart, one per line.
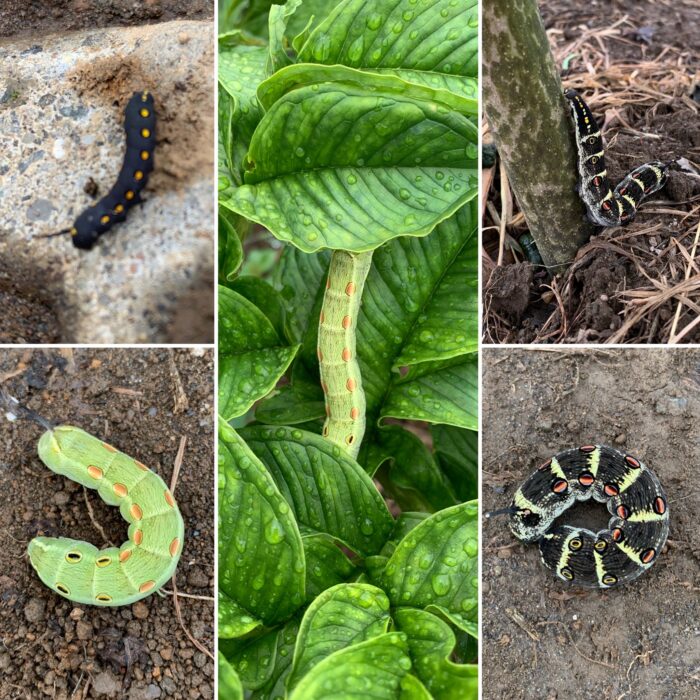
348 126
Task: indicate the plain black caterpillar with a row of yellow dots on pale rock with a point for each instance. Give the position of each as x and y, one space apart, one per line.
140 127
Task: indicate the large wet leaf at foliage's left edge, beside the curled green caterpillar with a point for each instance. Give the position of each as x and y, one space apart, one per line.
261 557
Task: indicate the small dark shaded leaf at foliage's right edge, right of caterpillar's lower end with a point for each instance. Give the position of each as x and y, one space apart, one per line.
457 451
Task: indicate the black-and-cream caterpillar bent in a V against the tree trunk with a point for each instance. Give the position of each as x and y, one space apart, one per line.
605 206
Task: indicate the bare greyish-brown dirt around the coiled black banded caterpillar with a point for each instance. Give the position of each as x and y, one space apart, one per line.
542 639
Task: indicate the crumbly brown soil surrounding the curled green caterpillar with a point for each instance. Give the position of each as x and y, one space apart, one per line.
57 649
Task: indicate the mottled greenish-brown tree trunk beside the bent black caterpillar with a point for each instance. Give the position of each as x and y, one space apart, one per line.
528 117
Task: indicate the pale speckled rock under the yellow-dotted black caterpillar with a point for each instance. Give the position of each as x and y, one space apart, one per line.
61 129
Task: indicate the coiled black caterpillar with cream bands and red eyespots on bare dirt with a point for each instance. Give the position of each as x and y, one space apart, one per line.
635 534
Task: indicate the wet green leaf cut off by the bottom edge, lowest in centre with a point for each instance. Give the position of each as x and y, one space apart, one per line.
374 668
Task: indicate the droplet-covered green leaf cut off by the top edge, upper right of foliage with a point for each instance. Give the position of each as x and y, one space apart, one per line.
437 36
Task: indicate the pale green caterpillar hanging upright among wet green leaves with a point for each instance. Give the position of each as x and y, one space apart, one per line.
340 372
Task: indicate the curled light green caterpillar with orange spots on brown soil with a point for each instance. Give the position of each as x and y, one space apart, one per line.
117 575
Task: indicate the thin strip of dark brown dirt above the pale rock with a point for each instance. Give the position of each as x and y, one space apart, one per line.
33 17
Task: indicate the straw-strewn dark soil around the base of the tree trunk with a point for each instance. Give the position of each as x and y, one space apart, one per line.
638 68
